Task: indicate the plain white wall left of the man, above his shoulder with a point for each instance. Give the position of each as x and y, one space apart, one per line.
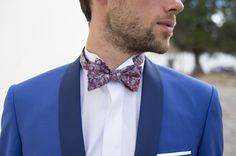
37 35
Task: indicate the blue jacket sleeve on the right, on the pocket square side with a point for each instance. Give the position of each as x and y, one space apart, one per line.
212 138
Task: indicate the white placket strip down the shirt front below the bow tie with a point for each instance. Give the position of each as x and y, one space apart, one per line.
112 134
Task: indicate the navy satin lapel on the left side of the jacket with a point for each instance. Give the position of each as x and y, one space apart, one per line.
70 122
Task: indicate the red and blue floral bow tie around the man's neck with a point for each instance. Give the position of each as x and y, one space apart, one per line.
99 73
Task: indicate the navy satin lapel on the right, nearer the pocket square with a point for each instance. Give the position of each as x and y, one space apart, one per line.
150 118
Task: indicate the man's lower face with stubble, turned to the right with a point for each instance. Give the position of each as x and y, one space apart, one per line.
137 26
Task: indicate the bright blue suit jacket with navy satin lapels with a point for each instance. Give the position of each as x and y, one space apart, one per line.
42 116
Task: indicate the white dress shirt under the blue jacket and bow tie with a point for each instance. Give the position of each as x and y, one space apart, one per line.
109 116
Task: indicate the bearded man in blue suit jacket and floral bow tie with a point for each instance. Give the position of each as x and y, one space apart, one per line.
112 101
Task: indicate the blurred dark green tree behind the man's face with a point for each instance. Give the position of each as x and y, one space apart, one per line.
206 26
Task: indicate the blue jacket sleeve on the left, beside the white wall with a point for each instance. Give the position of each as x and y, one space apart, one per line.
10 143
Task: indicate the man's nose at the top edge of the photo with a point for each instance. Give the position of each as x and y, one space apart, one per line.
174 6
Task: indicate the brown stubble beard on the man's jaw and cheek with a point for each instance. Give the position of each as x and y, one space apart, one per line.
127 33
